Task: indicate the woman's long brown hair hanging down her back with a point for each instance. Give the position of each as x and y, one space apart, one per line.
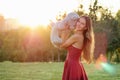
88 46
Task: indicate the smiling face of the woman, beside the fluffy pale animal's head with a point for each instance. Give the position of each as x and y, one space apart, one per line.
81 24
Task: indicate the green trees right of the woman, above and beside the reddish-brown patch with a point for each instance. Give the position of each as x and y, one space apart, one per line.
108 24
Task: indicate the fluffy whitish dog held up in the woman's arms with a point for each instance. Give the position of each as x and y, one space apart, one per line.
70 20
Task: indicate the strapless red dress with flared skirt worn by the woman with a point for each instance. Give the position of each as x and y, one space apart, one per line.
73 68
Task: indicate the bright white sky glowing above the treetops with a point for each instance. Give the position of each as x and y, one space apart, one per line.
34 12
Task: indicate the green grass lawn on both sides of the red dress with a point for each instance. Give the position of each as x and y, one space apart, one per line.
49 71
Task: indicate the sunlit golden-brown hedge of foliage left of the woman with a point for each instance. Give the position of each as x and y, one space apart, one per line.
25 44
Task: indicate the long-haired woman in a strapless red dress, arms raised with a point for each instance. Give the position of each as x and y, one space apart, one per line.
80 43
